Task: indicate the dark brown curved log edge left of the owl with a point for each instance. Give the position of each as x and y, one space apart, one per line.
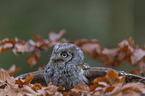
38 77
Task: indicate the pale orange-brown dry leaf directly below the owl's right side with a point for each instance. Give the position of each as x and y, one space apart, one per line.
80 88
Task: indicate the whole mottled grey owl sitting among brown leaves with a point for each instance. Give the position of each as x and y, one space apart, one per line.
65 71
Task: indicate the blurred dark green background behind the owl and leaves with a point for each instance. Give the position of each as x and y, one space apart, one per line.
109 21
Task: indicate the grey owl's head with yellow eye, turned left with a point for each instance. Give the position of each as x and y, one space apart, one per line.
66 52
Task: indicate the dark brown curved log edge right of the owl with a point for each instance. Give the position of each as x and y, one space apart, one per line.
93 72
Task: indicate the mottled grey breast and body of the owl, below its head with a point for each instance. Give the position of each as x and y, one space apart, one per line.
65 77
